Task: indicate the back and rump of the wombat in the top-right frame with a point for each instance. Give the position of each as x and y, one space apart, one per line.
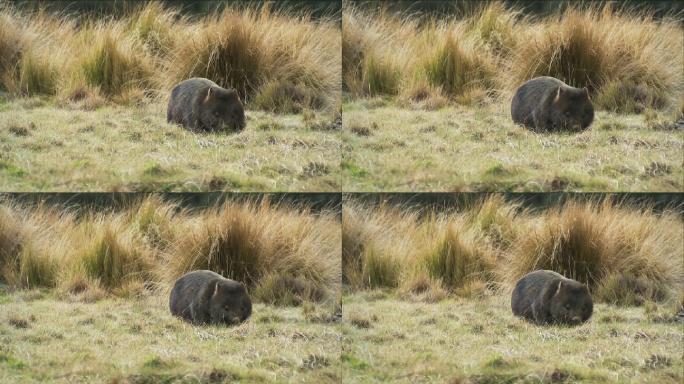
528 97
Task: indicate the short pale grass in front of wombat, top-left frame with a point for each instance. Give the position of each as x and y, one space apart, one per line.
50 148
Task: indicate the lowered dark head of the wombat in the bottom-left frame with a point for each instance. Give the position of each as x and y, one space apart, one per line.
229 303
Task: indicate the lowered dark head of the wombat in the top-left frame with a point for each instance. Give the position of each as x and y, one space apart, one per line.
222 110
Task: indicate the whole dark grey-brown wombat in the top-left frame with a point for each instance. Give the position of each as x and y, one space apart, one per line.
200 104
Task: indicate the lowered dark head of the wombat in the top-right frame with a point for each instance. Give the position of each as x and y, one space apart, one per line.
571 109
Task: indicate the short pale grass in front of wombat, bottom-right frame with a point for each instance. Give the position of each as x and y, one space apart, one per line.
479 341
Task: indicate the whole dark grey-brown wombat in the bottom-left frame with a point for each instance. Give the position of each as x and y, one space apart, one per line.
205 297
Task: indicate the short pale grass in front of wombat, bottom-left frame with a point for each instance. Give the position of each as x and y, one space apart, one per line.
46 338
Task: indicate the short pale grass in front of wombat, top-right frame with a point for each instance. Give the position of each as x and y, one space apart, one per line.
389 148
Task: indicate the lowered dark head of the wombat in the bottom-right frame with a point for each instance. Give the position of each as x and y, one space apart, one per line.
571 303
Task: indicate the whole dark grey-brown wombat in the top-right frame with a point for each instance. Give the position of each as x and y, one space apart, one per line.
548 104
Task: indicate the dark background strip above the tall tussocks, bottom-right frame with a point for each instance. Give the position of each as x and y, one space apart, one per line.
657 202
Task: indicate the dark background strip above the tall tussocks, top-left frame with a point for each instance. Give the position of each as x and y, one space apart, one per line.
317 8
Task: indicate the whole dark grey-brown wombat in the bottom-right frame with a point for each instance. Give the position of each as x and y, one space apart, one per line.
545 297
